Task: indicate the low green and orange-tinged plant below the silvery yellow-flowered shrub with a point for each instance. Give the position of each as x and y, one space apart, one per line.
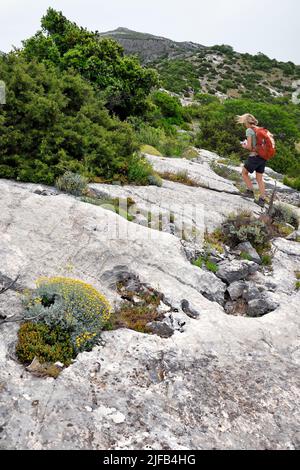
45 343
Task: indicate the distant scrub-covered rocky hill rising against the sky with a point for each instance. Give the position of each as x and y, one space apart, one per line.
190 68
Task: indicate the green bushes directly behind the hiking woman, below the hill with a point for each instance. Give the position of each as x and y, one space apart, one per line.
220 133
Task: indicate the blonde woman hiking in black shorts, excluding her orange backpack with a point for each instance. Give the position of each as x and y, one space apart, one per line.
254 162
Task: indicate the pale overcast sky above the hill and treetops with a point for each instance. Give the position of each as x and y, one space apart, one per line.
269 26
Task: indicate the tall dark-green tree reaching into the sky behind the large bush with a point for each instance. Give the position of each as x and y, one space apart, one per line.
125 85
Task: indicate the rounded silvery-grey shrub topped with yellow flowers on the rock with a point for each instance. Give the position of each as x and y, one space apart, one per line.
71 305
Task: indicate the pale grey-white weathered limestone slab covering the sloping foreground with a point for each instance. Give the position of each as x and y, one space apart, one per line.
224 382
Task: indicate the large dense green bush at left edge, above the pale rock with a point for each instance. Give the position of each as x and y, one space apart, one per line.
53 122
